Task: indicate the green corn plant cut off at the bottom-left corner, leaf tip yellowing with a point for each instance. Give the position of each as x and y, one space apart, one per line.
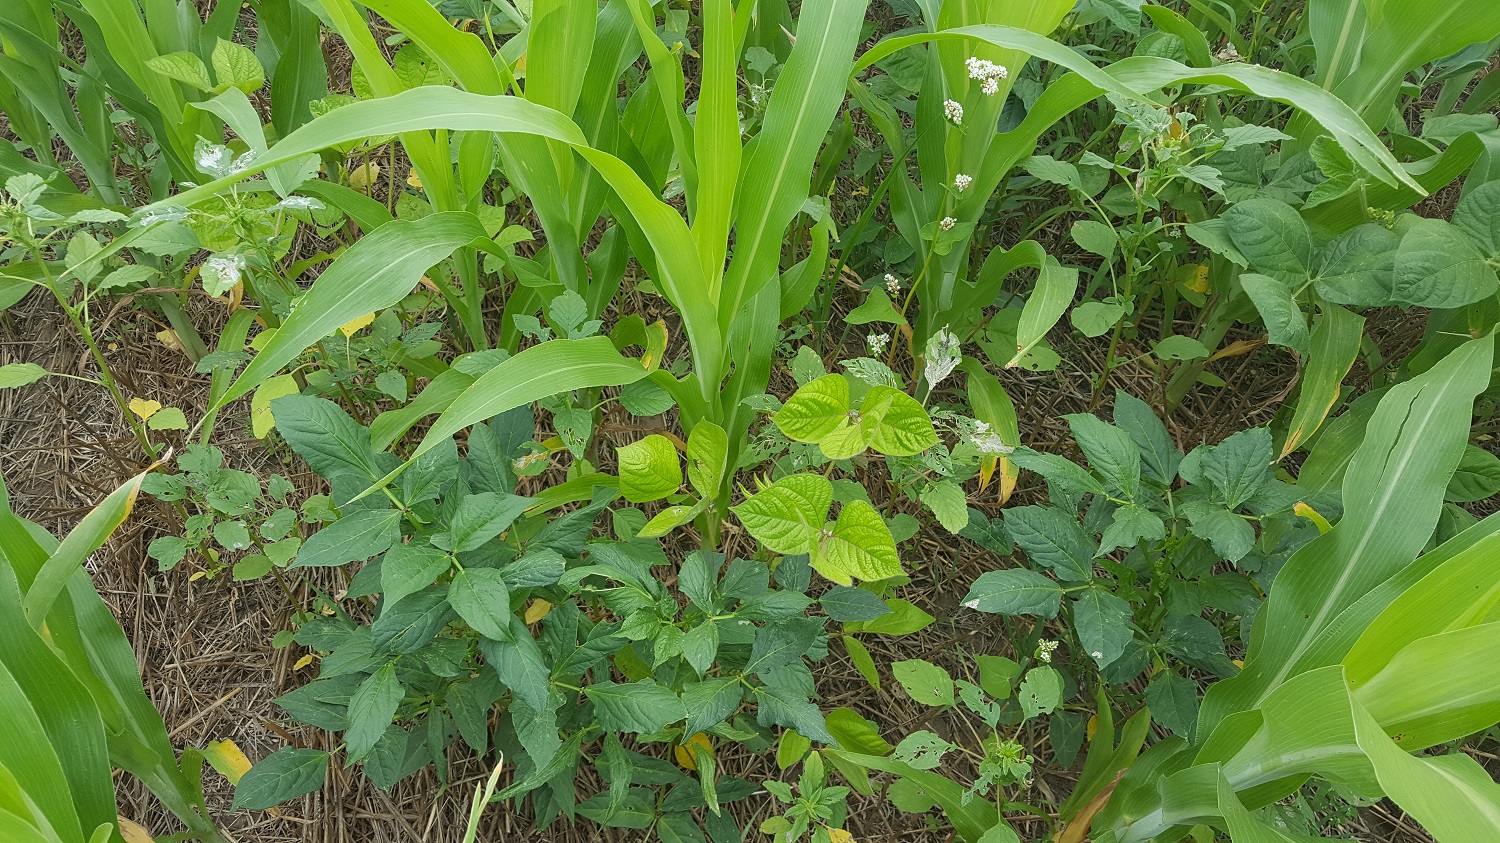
71 683
